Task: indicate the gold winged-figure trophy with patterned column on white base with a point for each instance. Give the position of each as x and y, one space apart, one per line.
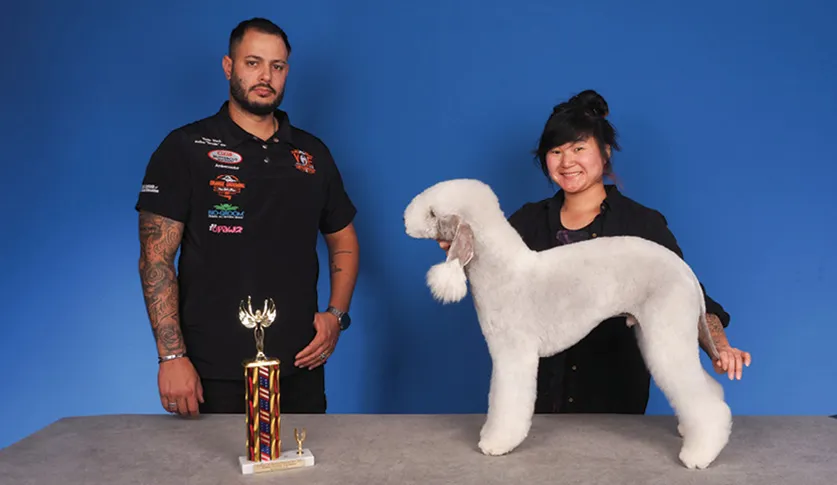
261 376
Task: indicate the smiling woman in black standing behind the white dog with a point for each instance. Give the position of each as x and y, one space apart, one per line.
604 372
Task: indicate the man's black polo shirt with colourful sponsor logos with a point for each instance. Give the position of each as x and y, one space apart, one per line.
252 211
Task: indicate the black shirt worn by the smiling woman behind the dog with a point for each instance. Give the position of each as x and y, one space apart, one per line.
605 371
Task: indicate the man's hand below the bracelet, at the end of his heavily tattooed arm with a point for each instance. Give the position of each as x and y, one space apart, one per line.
179 383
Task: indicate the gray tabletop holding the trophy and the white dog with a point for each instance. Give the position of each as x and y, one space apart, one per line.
422 449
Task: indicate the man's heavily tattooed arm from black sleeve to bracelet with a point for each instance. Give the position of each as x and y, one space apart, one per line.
159 240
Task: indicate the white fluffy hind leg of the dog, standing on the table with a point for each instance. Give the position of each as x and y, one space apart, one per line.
670 350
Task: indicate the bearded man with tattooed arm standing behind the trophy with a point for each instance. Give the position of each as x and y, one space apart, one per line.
244 195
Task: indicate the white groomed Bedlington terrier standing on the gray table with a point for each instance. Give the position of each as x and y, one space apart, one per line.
536 304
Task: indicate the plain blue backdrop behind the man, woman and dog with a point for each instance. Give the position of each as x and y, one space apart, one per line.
725 110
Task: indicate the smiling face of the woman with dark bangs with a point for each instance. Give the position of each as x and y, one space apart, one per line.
576 166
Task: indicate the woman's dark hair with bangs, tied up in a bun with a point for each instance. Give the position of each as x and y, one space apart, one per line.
580 117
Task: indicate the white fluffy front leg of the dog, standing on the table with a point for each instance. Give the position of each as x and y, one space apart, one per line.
511 399
